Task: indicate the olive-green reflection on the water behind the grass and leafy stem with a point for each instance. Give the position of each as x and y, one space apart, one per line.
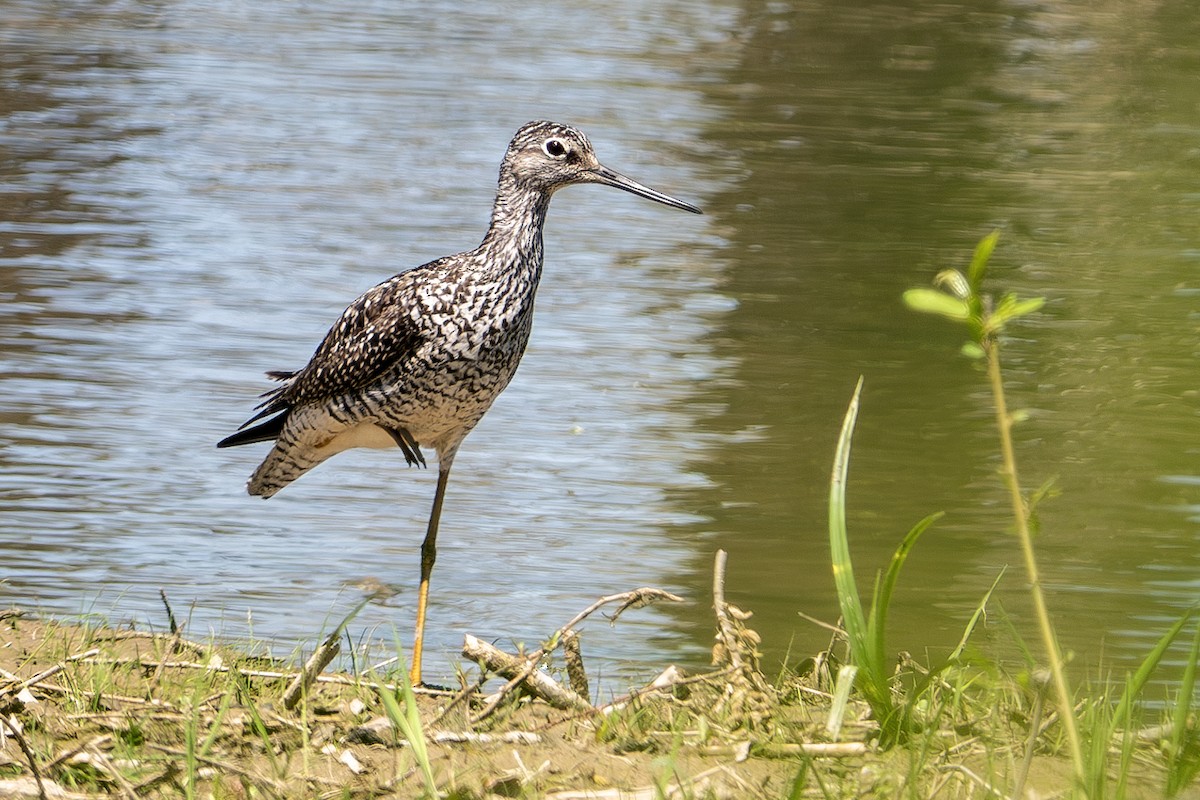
868 147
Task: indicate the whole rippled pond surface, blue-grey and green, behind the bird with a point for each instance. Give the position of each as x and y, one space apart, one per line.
193 193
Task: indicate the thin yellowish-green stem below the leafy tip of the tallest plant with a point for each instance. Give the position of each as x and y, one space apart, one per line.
1005 423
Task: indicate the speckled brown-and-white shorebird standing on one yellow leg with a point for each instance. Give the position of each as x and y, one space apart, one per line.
418 360
